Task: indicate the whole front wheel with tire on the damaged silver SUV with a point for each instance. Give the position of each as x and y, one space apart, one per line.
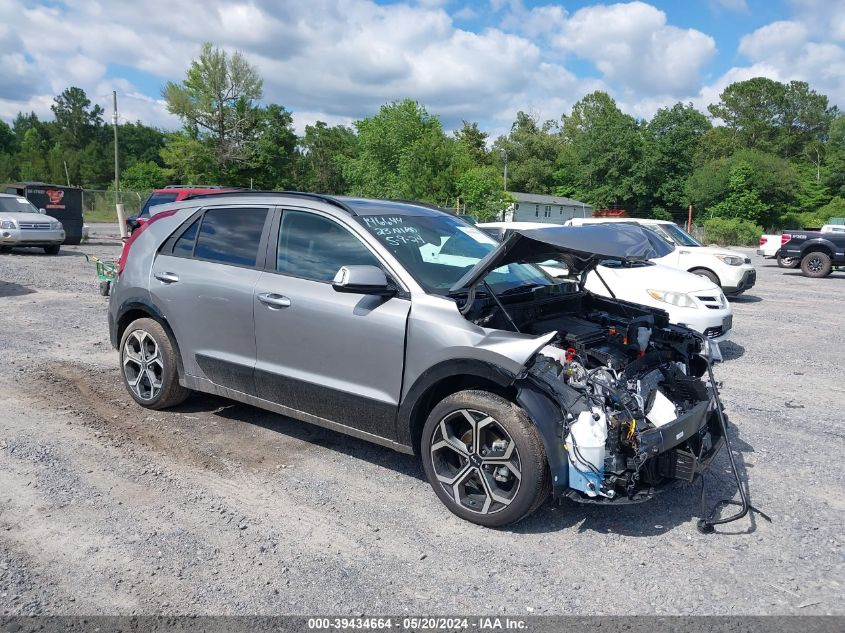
484 459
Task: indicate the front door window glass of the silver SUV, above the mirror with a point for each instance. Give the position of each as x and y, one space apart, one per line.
315 247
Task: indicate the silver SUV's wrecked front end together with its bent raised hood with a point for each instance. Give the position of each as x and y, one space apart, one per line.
617 394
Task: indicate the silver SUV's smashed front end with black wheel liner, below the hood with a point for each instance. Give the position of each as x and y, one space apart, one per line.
630 408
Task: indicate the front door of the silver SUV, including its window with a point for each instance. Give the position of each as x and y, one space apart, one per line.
336 356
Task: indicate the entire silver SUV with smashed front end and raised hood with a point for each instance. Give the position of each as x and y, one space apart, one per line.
406 326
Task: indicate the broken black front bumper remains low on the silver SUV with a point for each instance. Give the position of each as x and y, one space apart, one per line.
679 450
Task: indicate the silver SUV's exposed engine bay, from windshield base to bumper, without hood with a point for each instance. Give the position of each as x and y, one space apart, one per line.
634 409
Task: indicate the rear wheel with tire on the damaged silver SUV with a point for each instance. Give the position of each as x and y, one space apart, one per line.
149 365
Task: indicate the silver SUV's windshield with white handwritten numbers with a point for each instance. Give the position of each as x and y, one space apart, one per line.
439 250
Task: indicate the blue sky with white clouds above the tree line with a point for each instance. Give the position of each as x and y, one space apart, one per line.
338 60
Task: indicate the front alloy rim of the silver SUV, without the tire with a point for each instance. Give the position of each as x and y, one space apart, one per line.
476 461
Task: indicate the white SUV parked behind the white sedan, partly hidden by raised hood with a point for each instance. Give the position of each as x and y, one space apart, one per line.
730 270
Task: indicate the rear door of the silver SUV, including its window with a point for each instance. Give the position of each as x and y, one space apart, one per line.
203 280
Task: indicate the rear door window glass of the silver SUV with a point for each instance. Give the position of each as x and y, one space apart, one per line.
230 236
